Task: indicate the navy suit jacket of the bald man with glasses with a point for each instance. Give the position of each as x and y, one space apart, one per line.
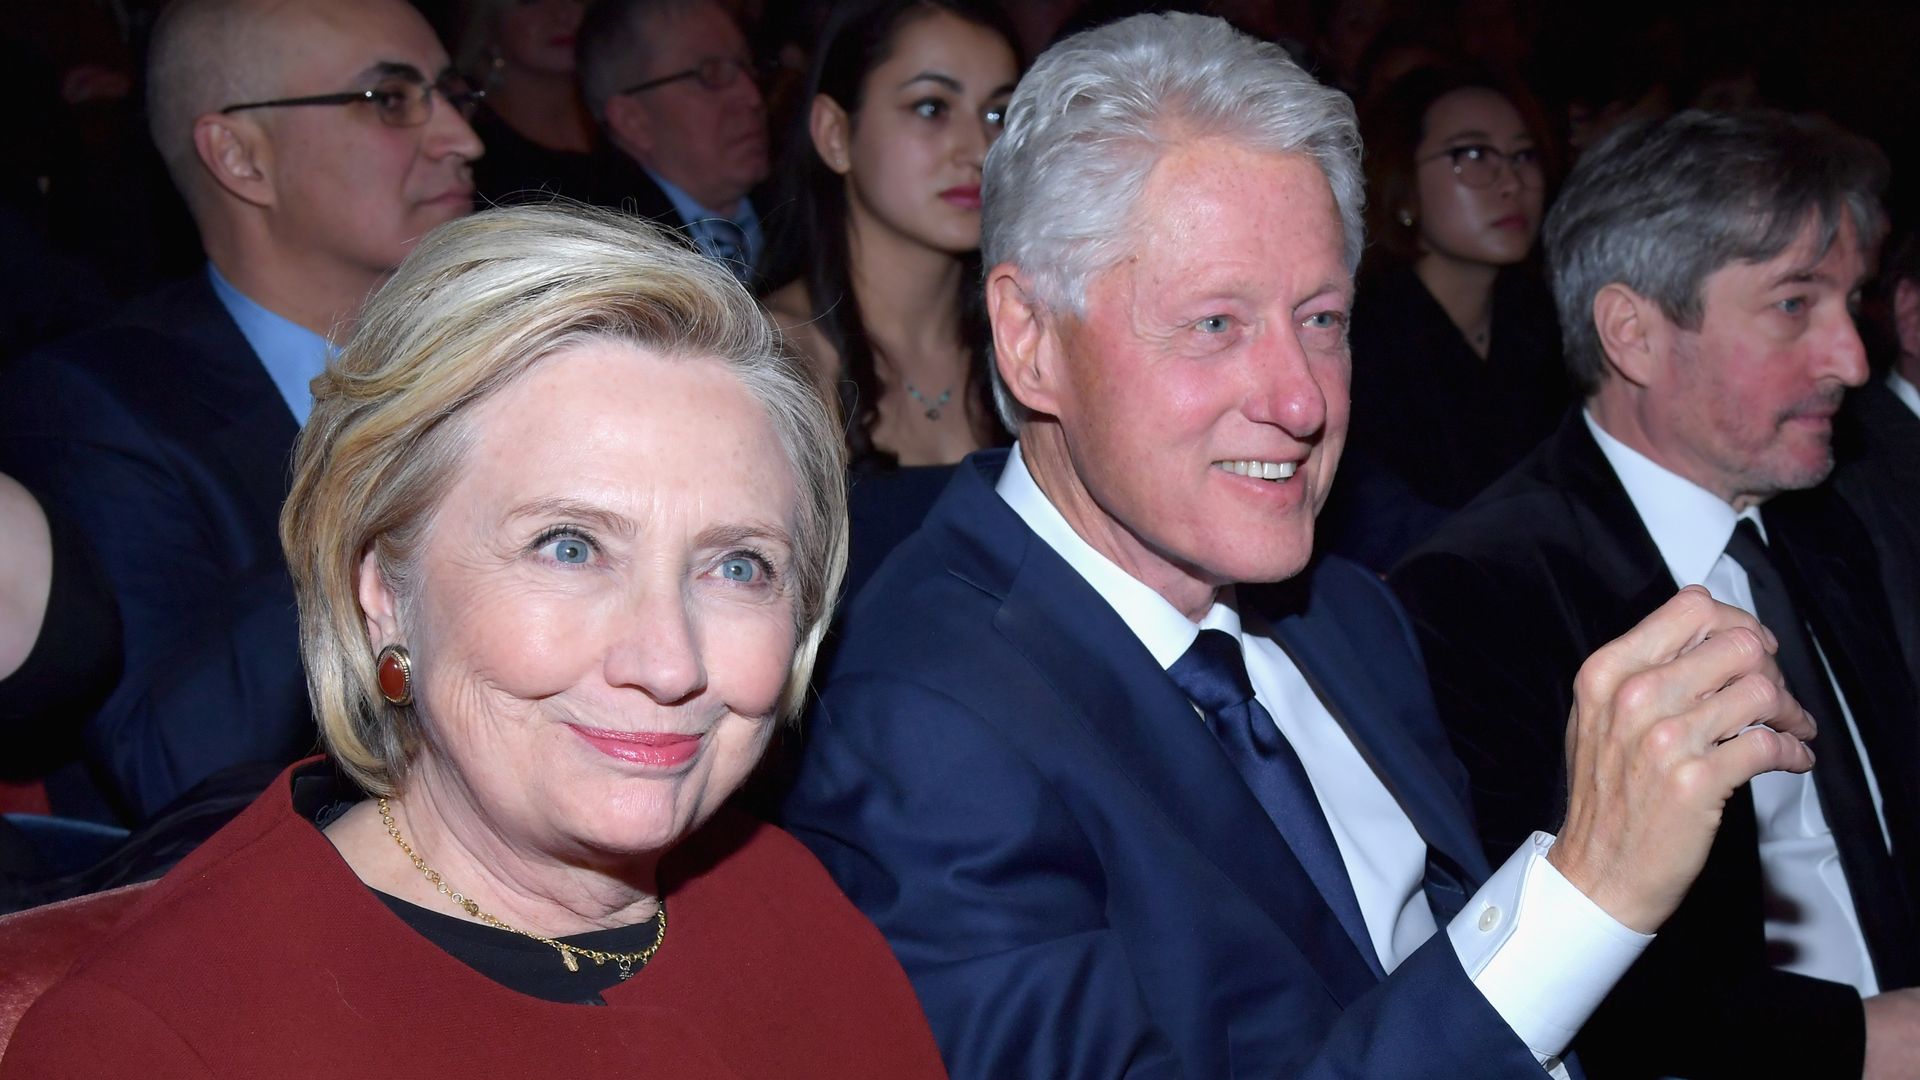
164 441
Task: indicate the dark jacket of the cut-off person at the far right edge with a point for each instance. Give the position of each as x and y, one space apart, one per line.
1879 449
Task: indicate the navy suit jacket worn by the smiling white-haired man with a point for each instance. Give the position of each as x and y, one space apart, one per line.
1067 864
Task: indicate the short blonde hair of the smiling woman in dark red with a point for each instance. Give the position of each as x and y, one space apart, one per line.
475 307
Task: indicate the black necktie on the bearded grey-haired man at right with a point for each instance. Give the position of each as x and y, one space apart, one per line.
1838 773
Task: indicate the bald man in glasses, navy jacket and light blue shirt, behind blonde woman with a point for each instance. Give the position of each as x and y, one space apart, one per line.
314 141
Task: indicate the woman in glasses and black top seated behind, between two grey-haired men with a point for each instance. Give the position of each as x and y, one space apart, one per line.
1456 351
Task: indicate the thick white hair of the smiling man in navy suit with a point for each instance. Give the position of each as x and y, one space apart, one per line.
1099 110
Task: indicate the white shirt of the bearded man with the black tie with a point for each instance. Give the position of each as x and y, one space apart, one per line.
1812 916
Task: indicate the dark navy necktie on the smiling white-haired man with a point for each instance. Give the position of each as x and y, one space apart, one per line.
1214 677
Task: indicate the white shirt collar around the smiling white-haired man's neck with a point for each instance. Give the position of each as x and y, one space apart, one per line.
1161 627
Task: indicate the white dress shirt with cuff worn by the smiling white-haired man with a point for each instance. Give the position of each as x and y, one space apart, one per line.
1535 946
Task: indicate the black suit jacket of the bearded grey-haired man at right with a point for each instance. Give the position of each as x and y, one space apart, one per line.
1510 599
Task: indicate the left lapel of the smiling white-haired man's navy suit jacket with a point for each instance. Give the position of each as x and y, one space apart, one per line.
1130 706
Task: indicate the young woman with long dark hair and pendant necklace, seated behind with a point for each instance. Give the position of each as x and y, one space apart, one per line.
876 266
